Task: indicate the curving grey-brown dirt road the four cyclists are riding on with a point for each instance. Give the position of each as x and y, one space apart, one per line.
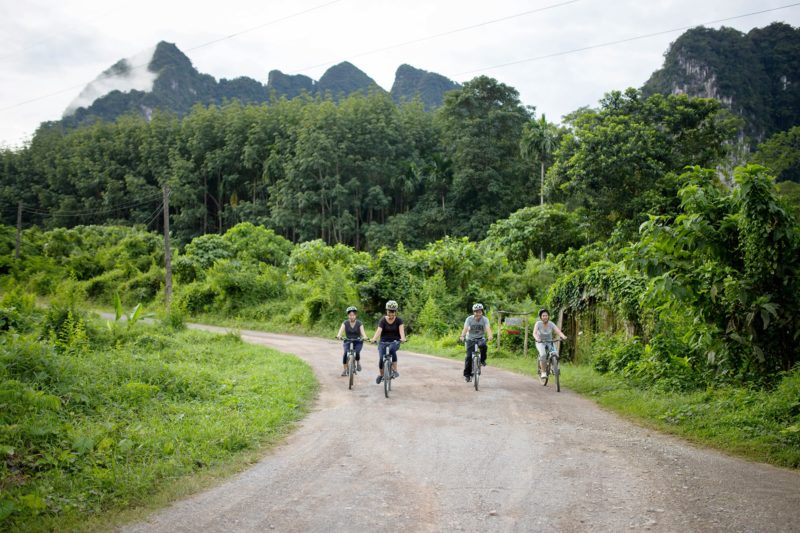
439 456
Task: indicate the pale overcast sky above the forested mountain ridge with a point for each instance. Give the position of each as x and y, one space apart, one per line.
50 50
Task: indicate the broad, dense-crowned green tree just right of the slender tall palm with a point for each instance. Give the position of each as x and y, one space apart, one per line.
619 161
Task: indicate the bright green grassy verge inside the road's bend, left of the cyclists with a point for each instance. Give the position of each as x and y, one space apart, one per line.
98 422
